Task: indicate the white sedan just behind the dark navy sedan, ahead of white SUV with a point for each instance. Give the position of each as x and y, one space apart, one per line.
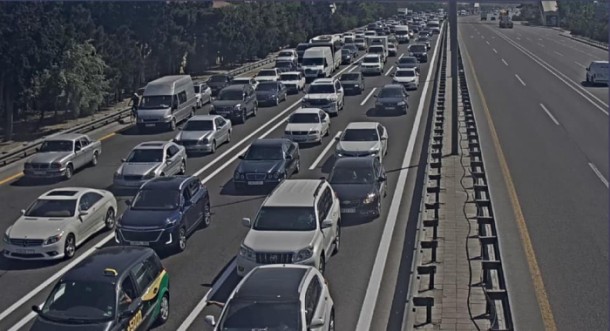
307 125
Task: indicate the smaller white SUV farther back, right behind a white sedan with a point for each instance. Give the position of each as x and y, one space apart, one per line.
326 94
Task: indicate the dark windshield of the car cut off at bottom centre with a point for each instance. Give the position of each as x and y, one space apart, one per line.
248 315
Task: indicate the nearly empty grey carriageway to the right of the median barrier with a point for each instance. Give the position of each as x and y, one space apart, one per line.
553 133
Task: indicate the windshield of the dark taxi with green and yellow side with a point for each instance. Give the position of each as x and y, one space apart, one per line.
80 302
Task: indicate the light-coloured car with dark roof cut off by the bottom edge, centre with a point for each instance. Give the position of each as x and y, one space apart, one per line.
278 295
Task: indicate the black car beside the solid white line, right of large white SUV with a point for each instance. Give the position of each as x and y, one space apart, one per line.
360 184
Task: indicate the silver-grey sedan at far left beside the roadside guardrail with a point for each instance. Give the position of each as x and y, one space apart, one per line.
61 155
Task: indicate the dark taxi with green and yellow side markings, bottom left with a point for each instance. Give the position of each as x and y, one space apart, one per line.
115 288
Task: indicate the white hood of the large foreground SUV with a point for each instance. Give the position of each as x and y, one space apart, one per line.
278 241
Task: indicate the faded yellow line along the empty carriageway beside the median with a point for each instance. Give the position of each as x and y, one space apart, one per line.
541 296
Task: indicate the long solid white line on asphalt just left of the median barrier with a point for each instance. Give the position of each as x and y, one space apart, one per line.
372 291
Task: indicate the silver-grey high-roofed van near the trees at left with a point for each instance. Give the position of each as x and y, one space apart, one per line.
166 102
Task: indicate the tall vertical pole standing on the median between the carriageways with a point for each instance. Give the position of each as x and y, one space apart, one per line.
454 75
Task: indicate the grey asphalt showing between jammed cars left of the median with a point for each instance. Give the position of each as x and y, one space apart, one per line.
356 277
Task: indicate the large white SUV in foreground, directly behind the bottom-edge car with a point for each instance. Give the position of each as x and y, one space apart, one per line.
298 223
